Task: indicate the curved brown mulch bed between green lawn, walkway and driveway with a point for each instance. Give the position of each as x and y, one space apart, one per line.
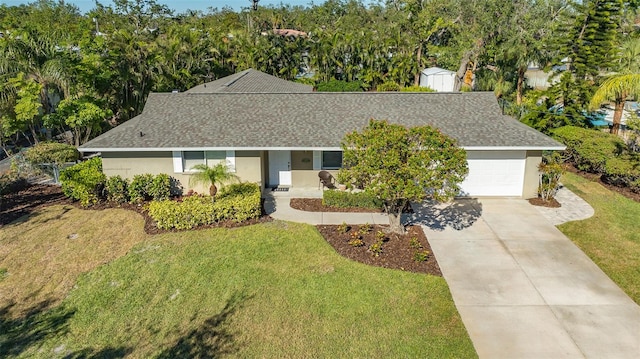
397 252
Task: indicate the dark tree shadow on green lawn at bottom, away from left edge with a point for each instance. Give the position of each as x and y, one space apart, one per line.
212 339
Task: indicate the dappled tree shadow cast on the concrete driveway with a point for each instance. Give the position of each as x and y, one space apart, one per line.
458 214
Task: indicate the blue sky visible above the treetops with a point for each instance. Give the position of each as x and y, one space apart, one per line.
182 5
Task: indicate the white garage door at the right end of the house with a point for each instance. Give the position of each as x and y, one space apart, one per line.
495 173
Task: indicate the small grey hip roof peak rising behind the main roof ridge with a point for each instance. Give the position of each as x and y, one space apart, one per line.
250 81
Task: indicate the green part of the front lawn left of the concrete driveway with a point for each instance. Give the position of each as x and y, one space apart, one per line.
269 290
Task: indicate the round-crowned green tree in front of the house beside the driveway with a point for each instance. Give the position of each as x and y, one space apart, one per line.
398 165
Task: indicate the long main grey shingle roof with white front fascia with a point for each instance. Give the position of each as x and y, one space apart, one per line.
183 121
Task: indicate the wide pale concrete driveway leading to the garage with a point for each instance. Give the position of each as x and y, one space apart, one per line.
523 289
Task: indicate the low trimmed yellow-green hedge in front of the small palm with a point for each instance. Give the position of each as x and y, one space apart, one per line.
236 202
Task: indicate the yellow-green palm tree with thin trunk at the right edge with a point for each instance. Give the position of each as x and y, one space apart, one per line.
617 88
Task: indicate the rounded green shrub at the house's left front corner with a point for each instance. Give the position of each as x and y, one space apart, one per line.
84 182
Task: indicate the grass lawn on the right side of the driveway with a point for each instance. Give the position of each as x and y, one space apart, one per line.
611 238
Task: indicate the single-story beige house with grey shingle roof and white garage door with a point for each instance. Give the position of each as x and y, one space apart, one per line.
285 139
